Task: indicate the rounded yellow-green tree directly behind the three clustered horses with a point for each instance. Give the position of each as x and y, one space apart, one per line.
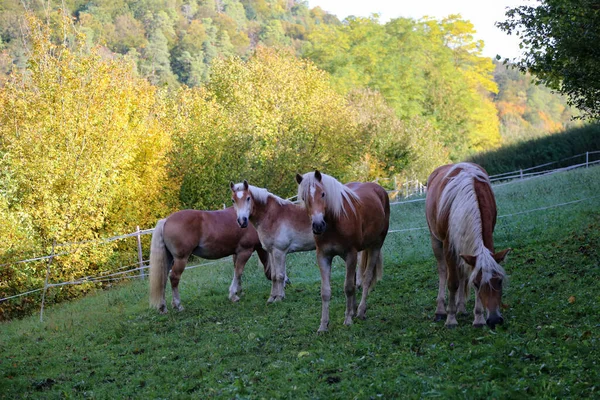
261 120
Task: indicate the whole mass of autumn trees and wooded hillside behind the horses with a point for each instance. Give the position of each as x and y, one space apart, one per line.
115 113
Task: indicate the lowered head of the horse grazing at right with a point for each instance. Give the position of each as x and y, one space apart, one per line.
489 285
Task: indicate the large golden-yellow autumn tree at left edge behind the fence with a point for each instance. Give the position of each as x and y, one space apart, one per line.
82 153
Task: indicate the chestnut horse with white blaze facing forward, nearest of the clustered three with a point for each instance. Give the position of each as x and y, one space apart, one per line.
346 219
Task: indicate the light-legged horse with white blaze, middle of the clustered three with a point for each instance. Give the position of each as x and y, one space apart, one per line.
283 227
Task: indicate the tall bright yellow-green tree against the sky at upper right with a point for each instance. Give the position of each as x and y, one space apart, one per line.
428 69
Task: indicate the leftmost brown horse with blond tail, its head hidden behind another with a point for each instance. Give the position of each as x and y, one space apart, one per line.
206 234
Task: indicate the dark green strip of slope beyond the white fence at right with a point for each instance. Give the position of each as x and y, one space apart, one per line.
547 149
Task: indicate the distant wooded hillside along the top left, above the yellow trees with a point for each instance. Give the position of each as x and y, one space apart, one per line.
171 37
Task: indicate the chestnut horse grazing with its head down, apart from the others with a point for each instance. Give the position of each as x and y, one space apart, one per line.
461 214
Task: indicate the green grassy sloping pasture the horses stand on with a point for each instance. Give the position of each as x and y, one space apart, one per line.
110 345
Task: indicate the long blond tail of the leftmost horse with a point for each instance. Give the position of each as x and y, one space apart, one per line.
158 266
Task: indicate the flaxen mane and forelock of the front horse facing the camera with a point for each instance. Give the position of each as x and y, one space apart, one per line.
336 193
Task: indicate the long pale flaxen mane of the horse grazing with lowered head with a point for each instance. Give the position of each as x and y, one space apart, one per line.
459 201
